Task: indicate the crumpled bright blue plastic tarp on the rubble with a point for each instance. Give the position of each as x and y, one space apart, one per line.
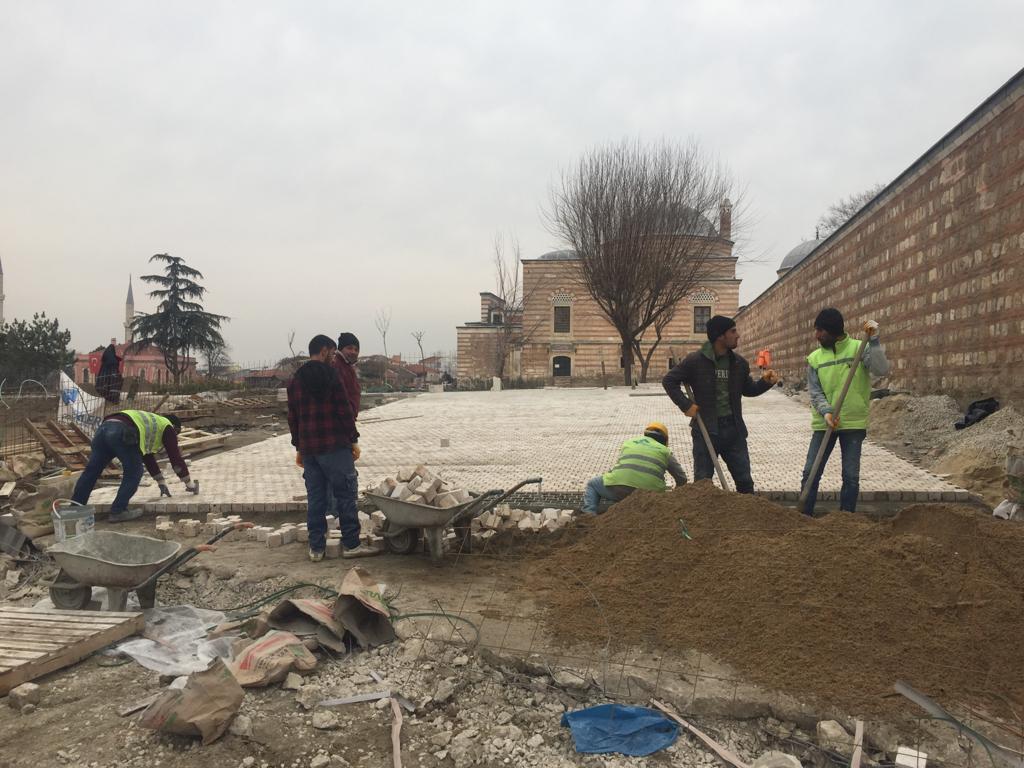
628 731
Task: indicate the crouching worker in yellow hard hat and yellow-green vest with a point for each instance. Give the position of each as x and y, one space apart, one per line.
643 464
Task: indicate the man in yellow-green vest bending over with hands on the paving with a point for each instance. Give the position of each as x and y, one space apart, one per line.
135 439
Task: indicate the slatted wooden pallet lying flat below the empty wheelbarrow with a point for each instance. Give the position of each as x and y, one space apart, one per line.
35 643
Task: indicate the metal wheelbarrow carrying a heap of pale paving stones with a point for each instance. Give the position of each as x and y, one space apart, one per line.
407 522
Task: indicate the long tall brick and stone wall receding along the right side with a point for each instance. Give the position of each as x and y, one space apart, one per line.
937 259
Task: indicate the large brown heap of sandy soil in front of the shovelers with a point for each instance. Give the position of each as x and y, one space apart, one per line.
836 609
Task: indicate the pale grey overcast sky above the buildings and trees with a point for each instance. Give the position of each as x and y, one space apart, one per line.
321 161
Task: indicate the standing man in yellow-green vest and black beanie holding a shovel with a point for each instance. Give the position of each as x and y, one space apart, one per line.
828 368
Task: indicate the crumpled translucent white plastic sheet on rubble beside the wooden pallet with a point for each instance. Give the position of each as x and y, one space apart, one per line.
175 641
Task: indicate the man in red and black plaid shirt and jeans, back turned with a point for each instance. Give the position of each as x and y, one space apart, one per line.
323 428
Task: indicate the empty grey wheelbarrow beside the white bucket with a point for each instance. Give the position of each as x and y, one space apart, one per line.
122 564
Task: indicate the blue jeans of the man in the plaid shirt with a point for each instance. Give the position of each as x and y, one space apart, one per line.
327 476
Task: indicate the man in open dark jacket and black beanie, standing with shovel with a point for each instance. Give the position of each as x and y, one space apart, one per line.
719 379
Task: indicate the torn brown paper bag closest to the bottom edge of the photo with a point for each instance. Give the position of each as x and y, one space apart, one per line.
204 708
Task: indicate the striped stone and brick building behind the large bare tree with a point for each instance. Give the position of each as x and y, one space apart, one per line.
563 337
